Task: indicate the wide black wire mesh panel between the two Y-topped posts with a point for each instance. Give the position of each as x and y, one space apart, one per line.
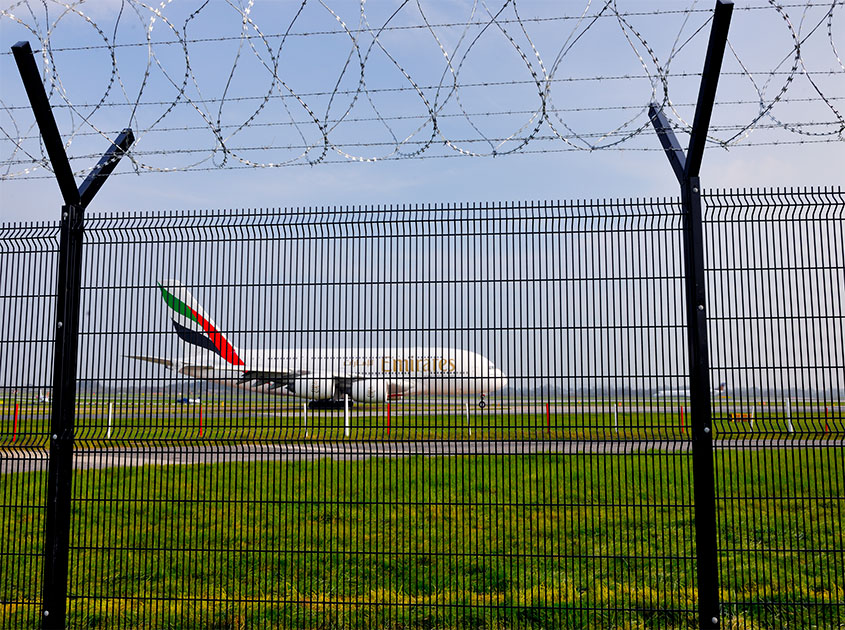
440 417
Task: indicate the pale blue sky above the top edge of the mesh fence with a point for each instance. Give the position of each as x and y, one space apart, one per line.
404 64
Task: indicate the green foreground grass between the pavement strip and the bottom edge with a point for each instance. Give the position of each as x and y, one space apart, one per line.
529 541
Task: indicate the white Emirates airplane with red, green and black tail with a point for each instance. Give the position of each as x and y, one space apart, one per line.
324 376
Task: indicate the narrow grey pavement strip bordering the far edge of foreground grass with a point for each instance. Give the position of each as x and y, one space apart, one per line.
18 460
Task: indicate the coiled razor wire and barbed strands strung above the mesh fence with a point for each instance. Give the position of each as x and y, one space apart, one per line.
407 80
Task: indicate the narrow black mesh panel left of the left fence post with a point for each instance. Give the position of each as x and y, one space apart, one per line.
28 260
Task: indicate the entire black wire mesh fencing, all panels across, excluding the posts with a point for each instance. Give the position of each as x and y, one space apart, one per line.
431 417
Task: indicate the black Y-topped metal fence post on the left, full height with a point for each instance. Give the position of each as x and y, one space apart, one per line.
68 294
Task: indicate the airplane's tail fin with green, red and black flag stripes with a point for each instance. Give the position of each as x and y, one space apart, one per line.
192 324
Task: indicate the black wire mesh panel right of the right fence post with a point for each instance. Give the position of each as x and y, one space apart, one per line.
777 319
